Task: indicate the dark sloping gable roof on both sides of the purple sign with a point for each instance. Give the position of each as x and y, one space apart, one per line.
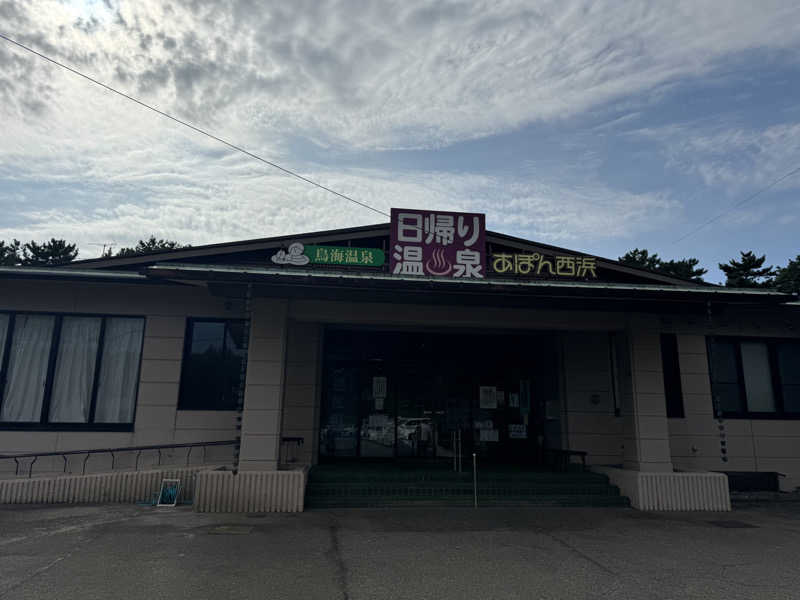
219 251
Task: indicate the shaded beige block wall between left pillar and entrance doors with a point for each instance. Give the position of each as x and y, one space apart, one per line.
301 400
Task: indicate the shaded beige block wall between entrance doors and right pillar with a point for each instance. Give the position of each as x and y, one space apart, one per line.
590 421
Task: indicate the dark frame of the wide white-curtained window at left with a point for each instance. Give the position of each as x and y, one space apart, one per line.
43 424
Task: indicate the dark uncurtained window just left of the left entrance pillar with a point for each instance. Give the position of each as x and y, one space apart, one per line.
212 364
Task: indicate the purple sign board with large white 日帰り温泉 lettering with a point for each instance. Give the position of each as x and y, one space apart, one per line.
438 243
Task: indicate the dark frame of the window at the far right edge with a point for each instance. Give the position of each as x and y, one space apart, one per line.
780 413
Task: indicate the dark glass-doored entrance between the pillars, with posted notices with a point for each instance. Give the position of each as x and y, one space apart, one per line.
413 395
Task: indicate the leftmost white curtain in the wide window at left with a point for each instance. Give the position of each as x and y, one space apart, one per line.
27 368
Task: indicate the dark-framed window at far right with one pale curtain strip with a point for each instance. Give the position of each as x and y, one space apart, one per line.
755 377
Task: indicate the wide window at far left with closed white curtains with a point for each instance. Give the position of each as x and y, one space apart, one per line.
68 371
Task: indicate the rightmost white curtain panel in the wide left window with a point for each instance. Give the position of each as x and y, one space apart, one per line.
119 370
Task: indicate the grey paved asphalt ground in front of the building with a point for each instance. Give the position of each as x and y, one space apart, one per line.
130 552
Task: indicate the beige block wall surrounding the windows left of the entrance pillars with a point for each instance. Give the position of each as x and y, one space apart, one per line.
157 418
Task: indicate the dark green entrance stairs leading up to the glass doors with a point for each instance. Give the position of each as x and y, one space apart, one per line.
415 484
